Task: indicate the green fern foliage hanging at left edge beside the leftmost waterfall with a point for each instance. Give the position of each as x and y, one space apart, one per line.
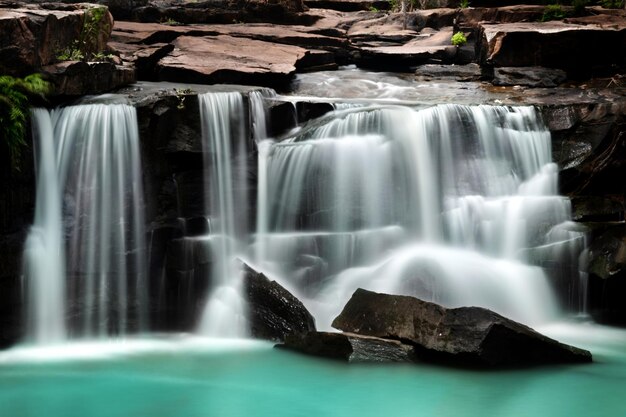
16 95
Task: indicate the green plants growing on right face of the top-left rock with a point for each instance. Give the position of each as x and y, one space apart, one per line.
85 47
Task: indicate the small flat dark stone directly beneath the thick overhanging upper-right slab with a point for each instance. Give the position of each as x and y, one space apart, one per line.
528 76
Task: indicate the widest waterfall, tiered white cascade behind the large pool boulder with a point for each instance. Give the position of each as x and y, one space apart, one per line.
442 203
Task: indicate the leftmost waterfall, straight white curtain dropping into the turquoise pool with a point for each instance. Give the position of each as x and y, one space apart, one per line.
90 201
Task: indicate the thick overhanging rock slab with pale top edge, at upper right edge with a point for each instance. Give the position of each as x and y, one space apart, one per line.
577 49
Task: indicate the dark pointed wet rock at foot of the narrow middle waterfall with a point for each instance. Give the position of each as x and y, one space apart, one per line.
273 311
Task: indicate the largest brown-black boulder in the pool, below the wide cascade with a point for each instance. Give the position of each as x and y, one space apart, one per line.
468 336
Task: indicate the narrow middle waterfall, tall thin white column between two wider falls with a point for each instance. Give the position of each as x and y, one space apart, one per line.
225 152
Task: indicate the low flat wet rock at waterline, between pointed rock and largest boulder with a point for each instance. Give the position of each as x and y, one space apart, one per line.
349 347
